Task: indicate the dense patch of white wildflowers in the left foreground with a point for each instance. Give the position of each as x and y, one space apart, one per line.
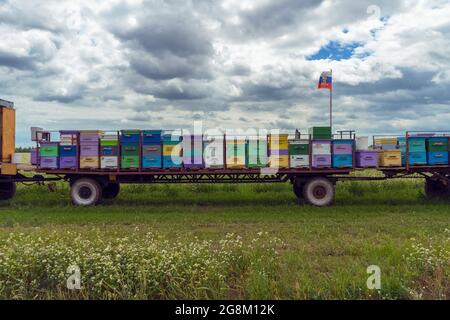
149 266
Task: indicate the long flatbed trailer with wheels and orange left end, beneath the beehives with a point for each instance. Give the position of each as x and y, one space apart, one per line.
316 186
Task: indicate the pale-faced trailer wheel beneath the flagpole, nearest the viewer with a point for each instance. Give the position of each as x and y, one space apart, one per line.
319 192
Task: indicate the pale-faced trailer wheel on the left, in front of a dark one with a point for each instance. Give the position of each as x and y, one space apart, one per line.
85 192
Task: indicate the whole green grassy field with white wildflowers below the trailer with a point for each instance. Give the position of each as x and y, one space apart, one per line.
227 241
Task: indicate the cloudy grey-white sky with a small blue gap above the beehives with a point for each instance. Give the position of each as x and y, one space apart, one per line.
152 64
